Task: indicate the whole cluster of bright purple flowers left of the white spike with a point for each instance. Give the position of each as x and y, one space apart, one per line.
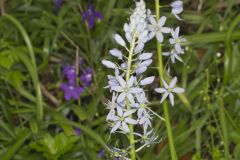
71 88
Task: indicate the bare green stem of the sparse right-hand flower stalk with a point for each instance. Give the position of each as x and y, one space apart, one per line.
165 106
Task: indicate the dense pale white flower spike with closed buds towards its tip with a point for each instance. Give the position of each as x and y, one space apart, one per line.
129 105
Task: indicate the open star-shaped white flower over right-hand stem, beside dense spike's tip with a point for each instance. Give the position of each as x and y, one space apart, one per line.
156 28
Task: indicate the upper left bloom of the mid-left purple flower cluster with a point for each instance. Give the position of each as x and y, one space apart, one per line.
70 73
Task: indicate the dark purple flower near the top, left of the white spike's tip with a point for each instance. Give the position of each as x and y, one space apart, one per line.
90 15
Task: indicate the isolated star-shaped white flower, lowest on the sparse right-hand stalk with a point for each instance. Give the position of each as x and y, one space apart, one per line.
168 90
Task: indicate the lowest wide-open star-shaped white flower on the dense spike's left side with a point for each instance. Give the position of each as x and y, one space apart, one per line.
122 119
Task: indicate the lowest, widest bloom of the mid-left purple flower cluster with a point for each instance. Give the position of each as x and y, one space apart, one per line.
71 91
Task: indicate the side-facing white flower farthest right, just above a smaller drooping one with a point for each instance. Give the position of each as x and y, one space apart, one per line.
176 40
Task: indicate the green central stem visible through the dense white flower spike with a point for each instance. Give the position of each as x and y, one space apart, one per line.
131 136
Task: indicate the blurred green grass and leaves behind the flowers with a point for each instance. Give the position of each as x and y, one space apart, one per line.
38 39
